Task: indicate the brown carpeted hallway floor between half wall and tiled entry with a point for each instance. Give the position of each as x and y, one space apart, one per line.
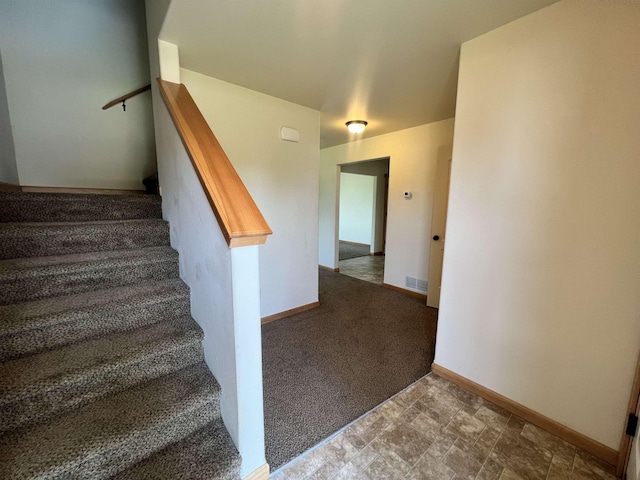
326 367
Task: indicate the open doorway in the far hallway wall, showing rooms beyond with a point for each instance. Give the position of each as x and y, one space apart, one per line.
362 212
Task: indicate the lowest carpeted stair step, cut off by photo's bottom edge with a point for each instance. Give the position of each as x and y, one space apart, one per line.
207 454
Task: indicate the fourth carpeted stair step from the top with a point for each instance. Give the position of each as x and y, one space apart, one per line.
45 324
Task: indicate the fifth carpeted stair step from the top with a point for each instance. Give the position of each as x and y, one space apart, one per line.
35 387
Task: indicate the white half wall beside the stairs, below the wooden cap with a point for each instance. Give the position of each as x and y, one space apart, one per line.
224 294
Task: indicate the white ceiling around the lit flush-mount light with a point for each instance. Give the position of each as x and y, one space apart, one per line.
393 63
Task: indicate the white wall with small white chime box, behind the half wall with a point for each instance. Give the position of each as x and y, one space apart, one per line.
282 177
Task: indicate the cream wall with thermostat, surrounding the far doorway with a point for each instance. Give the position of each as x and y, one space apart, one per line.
413 154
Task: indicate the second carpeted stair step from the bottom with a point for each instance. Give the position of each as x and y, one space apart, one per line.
104 437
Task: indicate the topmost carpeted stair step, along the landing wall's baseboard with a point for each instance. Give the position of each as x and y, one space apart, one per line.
61 207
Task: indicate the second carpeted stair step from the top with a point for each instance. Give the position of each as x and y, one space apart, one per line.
18 240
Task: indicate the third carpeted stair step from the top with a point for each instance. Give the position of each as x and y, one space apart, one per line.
27 279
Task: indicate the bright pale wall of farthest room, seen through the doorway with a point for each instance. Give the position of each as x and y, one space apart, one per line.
357 204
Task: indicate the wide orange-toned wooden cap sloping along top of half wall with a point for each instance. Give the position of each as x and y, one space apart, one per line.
240 219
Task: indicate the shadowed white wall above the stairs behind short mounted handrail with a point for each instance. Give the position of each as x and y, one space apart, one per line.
62 61
